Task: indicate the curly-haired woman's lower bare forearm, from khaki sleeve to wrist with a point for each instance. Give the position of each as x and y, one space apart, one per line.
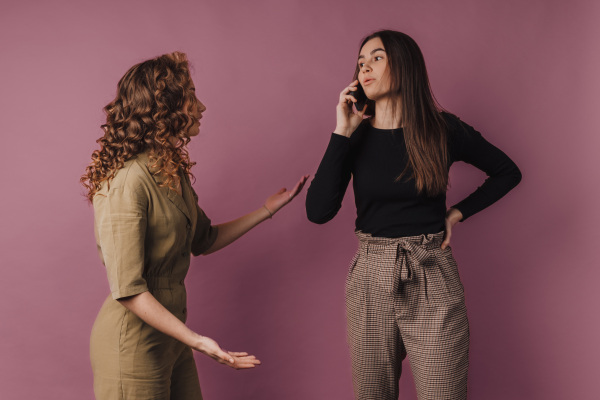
146 307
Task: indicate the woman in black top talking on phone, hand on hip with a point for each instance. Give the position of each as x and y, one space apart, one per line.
403 291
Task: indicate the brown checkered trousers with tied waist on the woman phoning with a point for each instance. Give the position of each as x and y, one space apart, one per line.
404 297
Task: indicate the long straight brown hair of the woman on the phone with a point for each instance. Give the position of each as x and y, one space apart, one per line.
424 127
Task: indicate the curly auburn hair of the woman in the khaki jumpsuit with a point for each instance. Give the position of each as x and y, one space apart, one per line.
153 105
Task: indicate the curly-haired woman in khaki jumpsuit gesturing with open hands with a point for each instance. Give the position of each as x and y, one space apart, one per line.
147 224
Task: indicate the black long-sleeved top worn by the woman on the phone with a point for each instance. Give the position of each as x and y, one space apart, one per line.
390 208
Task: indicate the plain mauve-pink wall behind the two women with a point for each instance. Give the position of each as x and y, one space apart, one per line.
523 73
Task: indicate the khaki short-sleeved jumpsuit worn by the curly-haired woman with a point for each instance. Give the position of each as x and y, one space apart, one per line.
145 234
